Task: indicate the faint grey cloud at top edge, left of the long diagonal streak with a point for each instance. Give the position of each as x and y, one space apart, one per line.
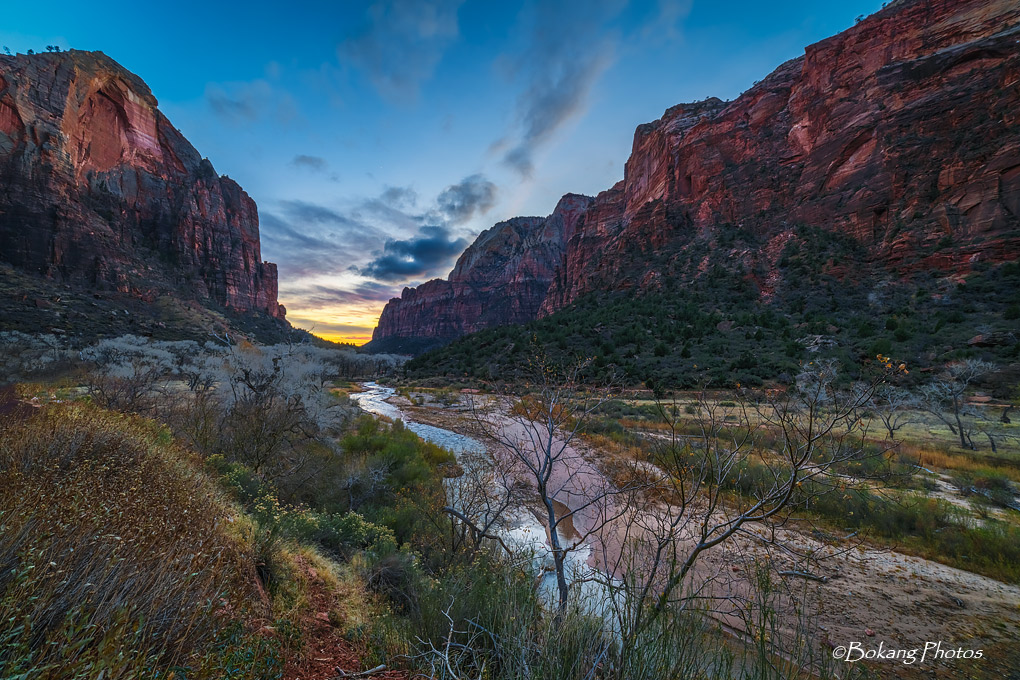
402 44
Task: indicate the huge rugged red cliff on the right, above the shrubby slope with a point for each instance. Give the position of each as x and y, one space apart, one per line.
902 132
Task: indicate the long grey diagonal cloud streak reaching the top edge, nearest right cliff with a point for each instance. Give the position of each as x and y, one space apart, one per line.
568 48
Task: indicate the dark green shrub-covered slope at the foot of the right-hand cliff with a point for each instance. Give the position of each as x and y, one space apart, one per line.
707 322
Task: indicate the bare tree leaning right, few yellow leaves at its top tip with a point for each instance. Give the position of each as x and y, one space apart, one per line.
722 473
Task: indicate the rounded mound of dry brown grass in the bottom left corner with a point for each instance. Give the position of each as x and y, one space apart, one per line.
116 557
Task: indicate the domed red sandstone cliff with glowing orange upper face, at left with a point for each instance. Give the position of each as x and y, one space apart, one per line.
98 189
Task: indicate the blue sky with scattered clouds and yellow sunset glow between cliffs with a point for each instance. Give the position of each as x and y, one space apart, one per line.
380 138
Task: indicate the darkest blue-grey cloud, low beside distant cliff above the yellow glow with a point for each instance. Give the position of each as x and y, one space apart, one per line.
425 255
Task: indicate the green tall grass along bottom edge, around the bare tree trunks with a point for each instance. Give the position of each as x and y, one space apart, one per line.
487 619
